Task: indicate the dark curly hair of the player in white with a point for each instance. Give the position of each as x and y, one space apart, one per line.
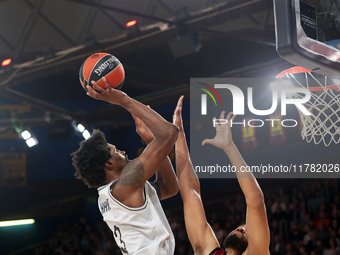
90 158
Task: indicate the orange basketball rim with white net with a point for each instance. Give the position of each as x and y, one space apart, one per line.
324 123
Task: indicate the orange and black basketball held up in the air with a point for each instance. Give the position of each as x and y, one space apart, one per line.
100 65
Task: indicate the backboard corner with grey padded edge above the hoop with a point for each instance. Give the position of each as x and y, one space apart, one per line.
308 34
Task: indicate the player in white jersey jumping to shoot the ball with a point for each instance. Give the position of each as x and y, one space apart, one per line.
128 202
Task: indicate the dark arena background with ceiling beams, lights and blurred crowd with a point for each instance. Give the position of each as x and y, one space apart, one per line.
48 40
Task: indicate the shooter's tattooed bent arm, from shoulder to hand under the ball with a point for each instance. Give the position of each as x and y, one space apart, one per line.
129 187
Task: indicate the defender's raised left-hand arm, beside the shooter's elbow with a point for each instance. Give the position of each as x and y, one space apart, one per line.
201 236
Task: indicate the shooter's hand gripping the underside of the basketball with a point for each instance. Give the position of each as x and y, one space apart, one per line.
111 95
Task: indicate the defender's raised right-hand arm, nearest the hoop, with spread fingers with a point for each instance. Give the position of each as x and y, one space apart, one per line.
256 220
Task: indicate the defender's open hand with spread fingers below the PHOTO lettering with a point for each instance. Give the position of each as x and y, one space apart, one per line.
223 137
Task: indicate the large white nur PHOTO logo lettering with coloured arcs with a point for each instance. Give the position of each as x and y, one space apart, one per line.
229 92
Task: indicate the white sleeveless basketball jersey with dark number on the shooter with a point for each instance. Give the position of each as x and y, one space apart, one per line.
144 230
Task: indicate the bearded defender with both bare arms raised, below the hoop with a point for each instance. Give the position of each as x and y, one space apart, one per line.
251 238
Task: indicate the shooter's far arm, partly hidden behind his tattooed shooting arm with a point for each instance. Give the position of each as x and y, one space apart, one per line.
166 179
